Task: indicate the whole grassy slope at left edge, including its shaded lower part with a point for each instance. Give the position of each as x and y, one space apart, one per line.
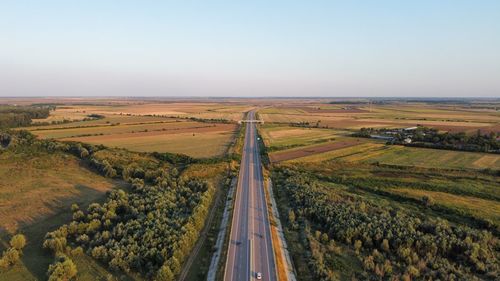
38 199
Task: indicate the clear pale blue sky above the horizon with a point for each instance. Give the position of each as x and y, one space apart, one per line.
437 48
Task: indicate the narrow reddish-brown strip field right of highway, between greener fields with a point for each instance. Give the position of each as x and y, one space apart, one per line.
314 149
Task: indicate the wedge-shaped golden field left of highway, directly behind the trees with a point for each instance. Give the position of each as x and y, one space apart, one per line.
201 142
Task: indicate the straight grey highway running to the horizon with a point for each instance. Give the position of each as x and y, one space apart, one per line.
250 248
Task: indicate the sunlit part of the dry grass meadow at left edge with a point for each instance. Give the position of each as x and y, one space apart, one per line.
33 187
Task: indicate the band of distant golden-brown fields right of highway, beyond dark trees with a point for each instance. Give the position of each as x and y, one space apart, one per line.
445 118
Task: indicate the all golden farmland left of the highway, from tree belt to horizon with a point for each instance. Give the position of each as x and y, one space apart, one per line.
147 127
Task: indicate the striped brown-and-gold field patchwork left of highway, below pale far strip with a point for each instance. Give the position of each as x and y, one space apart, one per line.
146 134
